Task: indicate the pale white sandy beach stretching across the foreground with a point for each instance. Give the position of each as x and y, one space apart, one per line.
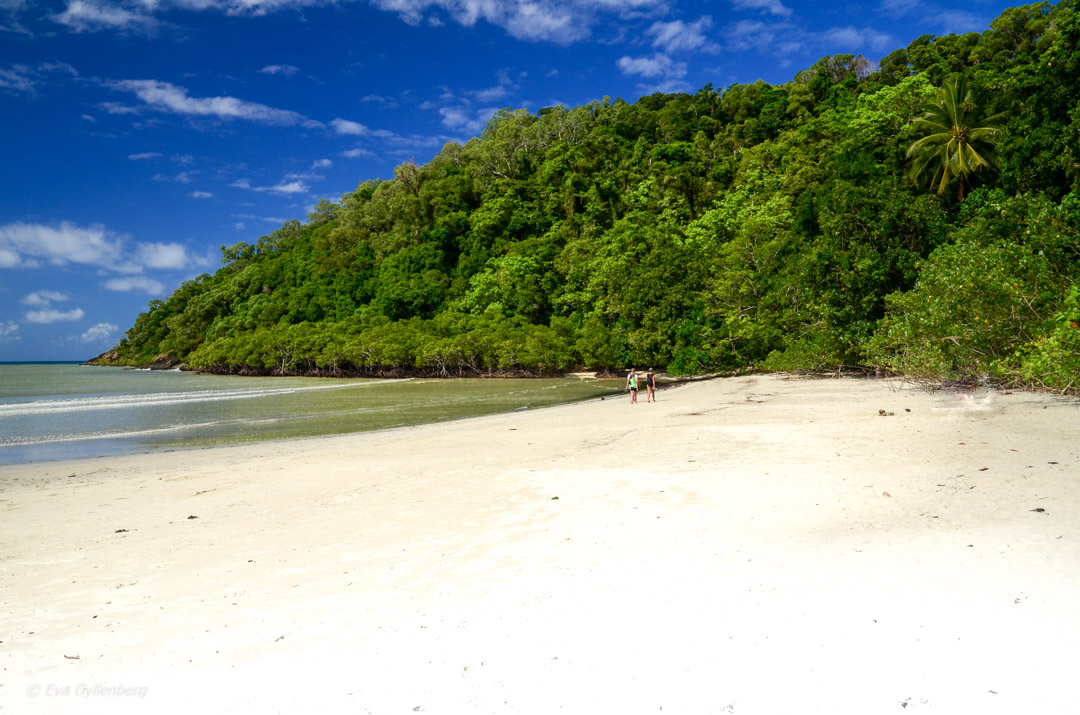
754 545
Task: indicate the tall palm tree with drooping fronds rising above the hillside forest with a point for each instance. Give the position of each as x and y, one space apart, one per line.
960 144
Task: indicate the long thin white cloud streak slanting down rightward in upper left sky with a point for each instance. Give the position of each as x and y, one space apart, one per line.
164 97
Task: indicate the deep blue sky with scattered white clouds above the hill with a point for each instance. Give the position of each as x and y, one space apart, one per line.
139 137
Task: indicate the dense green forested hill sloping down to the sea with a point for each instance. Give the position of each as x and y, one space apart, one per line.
920 217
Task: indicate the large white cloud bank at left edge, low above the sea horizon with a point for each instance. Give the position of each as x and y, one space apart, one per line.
23 245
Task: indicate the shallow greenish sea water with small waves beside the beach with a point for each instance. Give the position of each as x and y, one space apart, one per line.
52 412
